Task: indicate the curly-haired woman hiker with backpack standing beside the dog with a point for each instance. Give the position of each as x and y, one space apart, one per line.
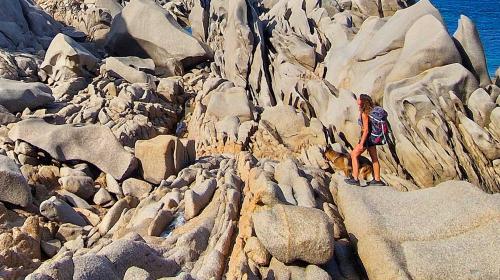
373 121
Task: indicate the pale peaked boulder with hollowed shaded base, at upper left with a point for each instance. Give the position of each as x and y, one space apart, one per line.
66 59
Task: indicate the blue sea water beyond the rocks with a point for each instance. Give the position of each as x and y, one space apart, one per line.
486 16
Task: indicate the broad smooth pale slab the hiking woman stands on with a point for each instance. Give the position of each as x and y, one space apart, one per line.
424 234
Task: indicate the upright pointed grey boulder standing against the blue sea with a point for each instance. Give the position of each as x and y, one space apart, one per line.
471 49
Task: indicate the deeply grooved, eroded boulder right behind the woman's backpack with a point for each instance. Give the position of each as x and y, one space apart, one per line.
433 139
